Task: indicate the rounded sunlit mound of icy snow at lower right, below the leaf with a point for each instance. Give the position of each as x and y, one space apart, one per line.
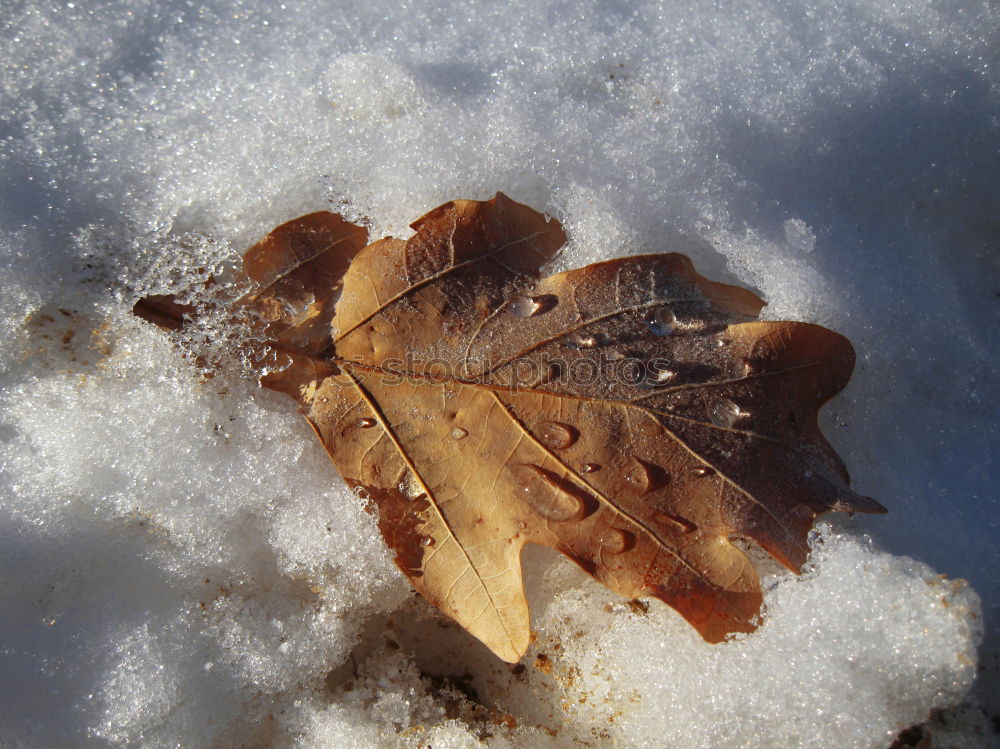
862 646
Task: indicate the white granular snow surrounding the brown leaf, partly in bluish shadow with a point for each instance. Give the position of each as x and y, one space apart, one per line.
179 564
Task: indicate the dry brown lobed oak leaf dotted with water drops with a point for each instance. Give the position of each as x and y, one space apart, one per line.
631 414
